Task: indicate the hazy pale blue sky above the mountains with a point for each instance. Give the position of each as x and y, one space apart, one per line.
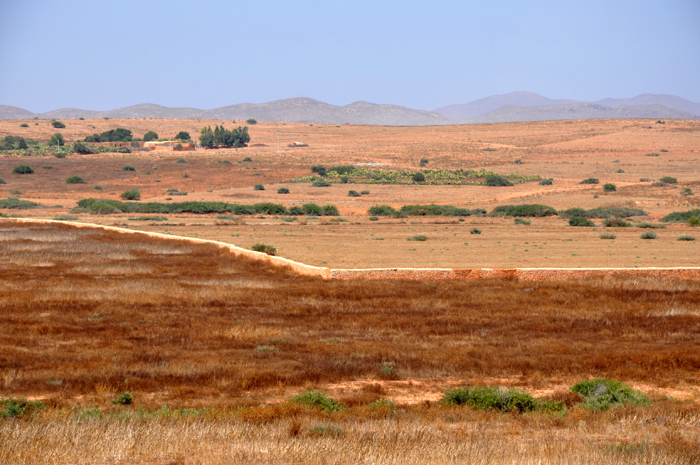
101 55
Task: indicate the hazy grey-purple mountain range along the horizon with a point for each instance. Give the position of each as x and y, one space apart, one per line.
512 107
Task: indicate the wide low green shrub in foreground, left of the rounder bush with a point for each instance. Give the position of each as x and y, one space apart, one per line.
491 398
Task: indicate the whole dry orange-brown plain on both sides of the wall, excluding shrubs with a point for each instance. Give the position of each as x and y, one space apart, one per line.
211 349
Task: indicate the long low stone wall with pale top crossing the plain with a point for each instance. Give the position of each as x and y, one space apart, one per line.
414 274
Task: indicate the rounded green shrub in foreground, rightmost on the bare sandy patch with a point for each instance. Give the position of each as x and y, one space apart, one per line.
603 393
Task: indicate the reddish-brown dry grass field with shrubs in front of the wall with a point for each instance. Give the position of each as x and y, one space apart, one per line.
166 351
